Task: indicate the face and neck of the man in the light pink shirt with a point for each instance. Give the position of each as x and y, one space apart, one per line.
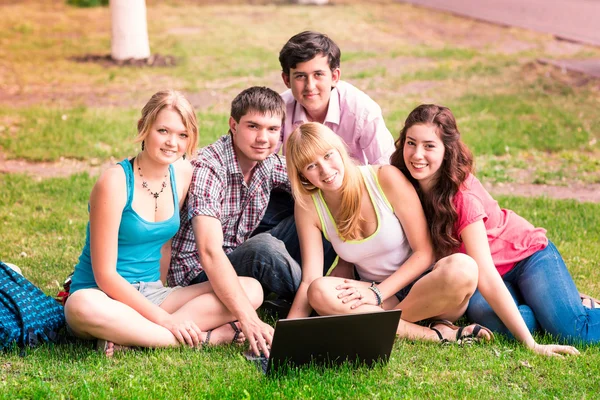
311 83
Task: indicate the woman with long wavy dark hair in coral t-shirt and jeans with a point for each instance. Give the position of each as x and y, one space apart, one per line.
523 282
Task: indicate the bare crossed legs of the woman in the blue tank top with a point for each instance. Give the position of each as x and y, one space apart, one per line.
90 313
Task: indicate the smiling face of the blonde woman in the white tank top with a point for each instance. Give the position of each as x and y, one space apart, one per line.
326 171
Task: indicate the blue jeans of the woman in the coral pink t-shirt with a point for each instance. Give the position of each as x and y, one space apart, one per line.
547 299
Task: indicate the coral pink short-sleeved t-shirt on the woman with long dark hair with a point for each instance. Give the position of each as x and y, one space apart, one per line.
511 237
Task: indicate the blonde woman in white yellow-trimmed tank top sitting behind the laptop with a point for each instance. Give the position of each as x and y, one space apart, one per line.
373 218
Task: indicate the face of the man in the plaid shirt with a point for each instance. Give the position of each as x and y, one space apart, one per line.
255 137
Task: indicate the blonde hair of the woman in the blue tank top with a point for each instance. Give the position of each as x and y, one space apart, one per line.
176 101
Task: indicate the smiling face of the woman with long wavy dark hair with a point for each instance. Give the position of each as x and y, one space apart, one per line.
423 154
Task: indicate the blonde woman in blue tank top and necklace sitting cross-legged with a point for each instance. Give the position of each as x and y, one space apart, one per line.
117 296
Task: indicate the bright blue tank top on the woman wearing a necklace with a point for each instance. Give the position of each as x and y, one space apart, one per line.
139 242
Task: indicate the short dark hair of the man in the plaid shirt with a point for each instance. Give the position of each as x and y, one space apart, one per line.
259 99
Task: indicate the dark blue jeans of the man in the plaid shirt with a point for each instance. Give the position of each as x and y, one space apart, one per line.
266 259
